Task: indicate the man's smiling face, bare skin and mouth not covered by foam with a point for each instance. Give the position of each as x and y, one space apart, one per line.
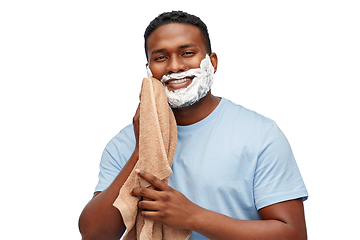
174 48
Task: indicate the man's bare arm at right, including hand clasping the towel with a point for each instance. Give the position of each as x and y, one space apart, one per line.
283 220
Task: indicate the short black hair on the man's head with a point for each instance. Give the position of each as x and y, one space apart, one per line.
178 17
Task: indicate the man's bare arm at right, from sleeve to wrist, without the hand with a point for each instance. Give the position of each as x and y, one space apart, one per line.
283 220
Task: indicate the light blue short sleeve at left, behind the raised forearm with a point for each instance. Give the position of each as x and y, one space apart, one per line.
115 156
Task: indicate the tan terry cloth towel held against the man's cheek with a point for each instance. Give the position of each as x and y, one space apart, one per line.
157 145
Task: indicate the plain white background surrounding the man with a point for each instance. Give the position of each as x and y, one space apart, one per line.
71 72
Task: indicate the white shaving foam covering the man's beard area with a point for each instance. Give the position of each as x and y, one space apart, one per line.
198 88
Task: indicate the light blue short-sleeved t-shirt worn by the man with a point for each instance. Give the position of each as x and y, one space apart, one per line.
233 162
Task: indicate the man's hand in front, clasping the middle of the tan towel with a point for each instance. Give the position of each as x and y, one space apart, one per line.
165 204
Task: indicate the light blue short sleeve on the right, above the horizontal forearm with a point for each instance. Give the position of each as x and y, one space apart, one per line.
277 176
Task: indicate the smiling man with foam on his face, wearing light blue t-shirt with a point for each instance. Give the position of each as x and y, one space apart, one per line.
231 166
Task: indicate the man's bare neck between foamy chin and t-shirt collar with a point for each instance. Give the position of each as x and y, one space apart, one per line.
196 112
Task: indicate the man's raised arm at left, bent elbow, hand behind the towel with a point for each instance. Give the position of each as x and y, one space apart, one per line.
100 219
